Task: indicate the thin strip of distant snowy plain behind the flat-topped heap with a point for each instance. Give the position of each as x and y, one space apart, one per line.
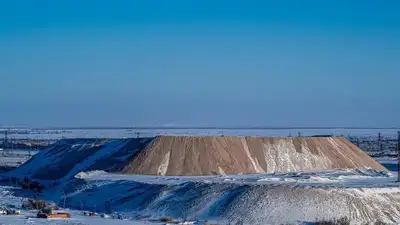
130 133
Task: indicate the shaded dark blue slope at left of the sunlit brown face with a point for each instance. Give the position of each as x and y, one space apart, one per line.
66 158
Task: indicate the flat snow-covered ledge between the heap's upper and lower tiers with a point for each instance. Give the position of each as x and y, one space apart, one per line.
346 178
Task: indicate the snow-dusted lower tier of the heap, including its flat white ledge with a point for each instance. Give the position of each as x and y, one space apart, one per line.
364 196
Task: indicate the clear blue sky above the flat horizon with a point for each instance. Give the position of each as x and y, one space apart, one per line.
273 63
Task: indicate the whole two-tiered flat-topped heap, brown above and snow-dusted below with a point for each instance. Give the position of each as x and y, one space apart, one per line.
99 174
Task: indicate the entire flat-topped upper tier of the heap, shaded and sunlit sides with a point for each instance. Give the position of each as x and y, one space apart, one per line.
195 156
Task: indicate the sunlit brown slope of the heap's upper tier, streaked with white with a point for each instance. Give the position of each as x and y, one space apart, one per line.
194 156
